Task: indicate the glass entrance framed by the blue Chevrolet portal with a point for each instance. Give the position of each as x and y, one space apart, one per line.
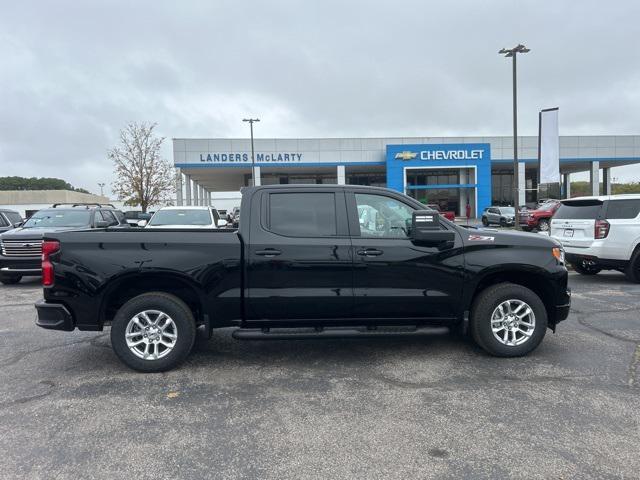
451 188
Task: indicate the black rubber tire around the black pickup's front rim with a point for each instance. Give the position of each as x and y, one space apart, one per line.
483 308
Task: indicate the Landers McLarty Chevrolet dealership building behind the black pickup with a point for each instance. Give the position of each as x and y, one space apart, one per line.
452 172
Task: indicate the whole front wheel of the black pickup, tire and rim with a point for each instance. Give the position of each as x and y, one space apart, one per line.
508 320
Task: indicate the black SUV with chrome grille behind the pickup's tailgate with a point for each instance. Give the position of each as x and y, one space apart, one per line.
21 248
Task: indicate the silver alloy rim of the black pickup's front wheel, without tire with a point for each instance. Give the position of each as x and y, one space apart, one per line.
513 322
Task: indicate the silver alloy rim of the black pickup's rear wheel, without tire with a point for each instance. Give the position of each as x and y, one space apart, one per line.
151 334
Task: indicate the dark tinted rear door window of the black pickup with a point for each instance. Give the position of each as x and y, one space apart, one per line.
302 214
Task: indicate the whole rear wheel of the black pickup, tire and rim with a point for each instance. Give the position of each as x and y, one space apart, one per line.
153 332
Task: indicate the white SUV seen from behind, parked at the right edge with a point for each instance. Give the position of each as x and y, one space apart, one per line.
600 233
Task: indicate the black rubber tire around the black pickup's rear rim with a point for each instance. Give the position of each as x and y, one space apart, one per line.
176 309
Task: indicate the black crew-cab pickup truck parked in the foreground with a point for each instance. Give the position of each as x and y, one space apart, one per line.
306 261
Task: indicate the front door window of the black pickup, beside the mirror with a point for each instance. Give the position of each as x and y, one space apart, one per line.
381 216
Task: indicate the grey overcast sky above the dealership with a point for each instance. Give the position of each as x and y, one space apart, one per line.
73 73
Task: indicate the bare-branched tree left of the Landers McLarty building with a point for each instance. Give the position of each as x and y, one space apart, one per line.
142 176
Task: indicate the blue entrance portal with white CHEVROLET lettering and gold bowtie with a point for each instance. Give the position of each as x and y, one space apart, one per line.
449 155
